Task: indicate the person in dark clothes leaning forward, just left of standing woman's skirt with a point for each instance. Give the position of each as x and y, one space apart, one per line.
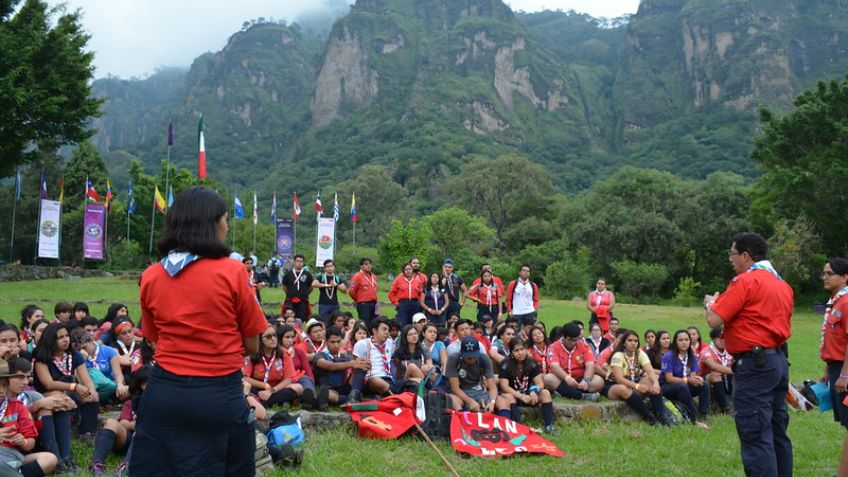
116 435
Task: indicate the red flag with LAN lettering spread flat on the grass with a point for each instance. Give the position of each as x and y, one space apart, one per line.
488 435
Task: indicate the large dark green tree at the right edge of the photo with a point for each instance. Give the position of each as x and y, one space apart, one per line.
805 158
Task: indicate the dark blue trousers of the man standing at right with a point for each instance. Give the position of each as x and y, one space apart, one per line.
759 399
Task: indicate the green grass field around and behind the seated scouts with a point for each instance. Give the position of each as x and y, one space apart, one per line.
592 449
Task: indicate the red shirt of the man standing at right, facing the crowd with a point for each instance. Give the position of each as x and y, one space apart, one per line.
757 311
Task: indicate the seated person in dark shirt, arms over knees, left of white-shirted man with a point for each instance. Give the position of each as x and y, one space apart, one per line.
332 369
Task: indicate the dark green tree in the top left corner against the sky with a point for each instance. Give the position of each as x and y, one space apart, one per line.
45 99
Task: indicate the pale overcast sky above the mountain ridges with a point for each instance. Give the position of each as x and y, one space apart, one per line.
133 37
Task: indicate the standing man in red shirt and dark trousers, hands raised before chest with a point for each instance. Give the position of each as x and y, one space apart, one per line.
756 312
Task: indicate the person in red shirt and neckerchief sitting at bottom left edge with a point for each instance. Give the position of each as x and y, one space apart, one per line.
17 429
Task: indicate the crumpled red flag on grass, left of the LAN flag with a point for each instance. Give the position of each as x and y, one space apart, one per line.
387 418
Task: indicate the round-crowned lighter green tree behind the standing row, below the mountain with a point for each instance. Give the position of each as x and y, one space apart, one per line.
504 191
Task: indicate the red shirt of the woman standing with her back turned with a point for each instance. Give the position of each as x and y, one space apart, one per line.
199 317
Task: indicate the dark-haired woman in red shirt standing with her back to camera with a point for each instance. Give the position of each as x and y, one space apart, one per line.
199 311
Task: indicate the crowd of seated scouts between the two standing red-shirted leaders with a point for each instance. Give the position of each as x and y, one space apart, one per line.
492 365
